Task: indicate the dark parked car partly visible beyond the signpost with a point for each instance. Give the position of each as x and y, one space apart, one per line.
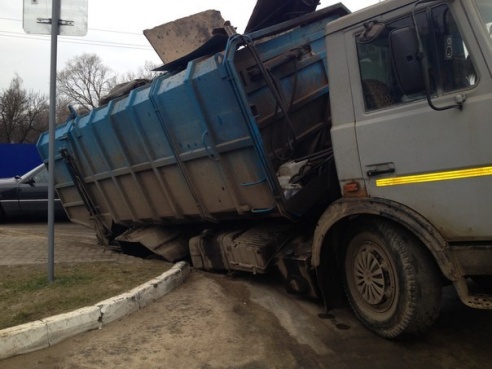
27 195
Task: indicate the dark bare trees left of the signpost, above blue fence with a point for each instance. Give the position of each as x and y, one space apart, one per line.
23 114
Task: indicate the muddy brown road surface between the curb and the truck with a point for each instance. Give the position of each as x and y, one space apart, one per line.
217 321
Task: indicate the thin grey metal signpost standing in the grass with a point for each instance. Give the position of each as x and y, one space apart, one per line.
55 17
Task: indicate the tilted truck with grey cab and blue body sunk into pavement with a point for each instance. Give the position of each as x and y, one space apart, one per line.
350 152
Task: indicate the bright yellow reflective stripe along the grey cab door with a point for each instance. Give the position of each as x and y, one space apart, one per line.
438 176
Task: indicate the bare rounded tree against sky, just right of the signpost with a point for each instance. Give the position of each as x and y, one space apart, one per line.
84 80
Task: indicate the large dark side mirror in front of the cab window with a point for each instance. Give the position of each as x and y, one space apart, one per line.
408 67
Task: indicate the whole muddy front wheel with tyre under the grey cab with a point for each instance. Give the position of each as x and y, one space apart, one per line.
391 282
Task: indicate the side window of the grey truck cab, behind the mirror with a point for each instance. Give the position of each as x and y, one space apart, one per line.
449 64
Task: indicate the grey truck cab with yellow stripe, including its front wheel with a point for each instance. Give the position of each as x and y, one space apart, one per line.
411 104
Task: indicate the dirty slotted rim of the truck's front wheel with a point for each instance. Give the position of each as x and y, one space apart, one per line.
373 277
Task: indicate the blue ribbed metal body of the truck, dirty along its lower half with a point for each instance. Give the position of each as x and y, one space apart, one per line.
206 143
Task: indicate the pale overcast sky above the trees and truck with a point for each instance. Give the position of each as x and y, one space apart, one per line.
114 33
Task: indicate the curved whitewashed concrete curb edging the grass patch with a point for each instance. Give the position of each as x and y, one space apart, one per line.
47 332
